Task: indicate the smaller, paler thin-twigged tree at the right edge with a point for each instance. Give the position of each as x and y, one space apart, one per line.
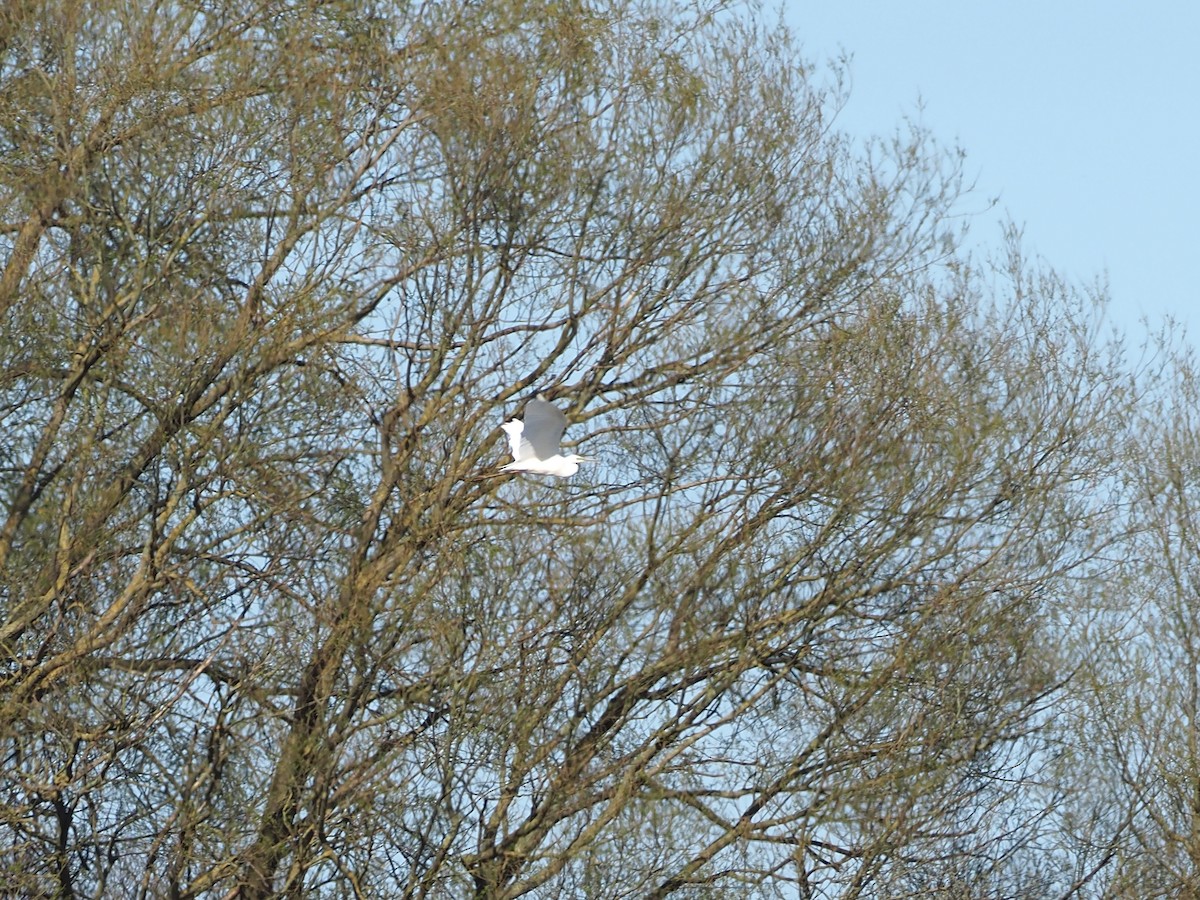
1138 695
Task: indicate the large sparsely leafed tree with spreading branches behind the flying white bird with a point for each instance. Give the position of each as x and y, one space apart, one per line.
274 274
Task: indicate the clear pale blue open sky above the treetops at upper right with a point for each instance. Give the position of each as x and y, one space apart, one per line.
1083 118
